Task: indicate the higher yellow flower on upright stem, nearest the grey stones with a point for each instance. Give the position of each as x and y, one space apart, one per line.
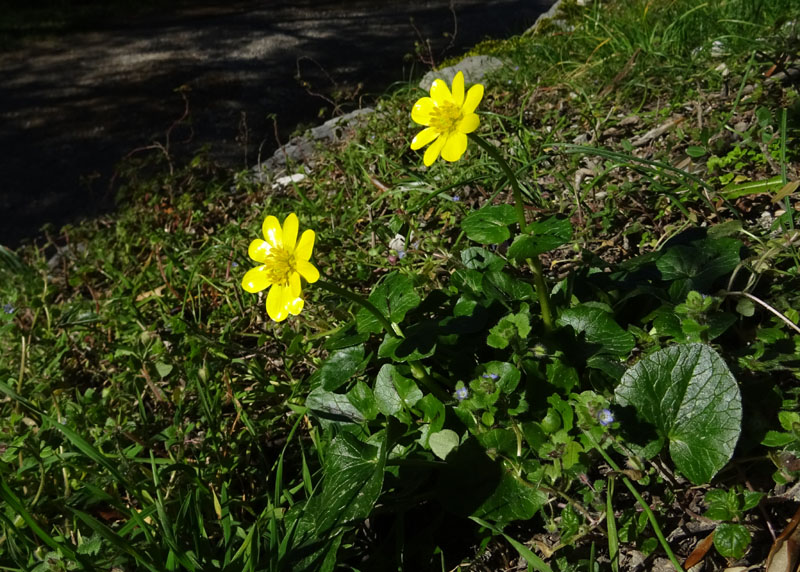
448 117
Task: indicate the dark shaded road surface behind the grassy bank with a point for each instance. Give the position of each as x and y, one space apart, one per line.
72 105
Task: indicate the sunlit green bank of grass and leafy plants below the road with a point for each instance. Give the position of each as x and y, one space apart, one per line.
591 355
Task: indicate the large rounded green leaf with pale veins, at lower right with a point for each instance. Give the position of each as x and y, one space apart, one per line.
691 398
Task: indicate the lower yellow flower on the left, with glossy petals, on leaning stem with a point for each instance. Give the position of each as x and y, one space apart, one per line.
283 261
